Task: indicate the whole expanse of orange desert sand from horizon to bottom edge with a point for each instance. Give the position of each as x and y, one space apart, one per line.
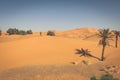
18 51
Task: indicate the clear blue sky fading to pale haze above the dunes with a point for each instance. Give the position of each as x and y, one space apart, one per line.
43 15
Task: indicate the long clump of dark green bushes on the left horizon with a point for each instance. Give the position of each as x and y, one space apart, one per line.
12 31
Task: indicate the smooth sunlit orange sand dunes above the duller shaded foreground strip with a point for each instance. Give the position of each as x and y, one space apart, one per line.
19 51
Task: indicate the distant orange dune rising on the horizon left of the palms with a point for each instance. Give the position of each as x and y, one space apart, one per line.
76 33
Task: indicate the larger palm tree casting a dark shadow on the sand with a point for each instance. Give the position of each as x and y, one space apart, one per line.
105 35
